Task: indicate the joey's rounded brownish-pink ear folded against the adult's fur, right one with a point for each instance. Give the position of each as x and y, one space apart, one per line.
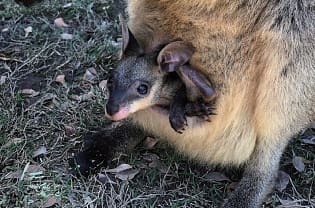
174 54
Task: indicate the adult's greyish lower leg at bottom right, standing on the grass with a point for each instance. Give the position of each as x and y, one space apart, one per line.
259 176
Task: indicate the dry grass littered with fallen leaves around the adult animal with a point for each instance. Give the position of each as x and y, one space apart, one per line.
61 114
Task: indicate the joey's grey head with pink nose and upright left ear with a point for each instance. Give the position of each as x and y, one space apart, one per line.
136 82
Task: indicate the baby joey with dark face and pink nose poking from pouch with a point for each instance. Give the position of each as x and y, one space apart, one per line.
140 80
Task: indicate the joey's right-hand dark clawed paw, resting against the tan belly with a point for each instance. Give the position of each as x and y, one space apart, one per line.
200 109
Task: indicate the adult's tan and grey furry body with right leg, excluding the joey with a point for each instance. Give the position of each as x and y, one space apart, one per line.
260 56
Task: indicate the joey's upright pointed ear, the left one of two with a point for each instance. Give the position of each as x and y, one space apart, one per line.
130 46
